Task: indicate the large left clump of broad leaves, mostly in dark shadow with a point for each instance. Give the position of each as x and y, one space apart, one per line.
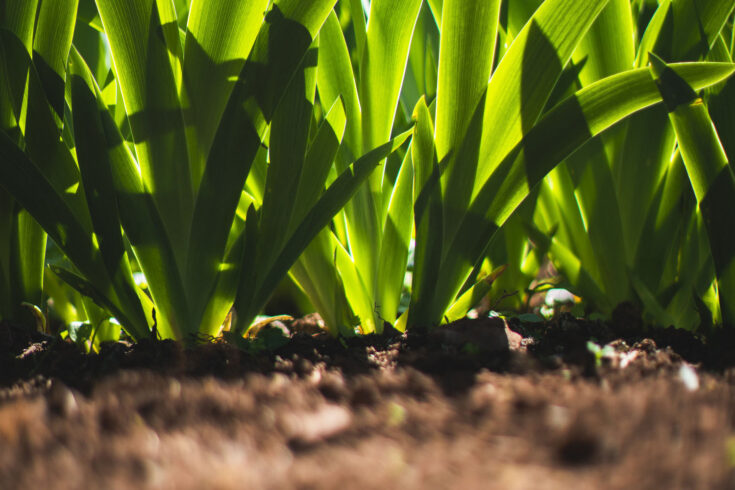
147 172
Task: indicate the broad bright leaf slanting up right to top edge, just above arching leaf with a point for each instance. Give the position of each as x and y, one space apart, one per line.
516 95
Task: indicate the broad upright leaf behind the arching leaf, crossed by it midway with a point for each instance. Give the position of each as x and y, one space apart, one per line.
583 186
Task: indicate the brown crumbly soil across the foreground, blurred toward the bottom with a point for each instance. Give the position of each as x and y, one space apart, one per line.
482 403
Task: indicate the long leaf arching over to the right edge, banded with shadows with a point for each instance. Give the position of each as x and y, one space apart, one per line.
562 130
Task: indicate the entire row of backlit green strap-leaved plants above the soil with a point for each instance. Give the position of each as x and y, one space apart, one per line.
398 159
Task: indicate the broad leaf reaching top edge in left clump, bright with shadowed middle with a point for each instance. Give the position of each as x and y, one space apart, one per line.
146 54
